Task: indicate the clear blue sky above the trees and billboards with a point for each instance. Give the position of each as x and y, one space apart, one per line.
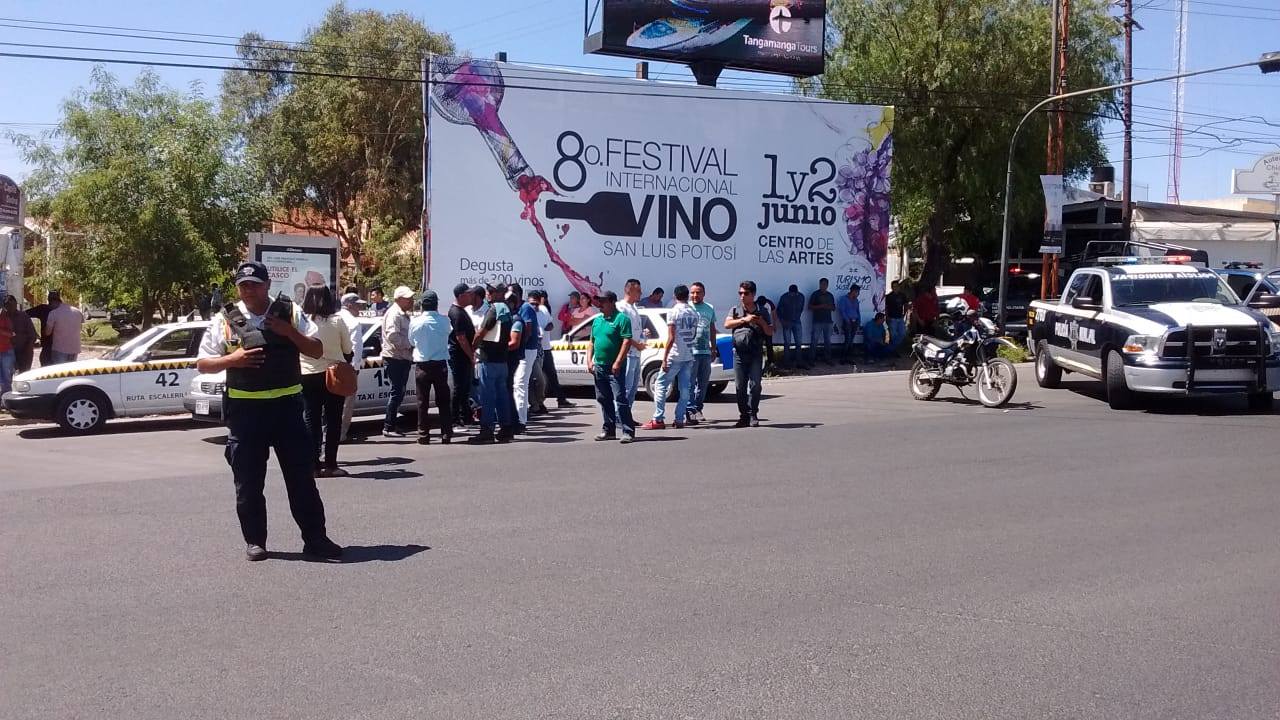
551 31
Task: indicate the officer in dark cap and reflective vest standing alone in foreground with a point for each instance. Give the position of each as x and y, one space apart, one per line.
258 343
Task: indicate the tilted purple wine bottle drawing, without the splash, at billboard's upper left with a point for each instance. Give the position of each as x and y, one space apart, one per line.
469 93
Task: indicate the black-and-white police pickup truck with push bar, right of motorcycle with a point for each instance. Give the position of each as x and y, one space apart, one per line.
1155 326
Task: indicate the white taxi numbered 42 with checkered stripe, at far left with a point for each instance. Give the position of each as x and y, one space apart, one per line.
147 376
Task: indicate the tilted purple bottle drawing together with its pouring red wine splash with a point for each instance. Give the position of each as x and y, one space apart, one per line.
469 92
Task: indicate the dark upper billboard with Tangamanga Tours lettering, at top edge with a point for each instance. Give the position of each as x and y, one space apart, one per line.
772 37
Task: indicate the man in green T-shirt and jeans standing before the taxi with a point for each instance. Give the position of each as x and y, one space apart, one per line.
611 339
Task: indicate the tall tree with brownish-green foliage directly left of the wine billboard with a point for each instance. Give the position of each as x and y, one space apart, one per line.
340 154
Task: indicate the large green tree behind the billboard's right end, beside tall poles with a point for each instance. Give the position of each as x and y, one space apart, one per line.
962 74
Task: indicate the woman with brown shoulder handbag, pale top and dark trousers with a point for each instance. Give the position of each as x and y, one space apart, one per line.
327 381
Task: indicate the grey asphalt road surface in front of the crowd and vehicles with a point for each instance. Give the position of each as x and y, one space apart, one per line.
861 557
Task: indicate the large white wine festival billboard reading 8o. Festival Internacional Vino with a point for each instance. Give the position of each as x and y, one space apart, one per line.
563 181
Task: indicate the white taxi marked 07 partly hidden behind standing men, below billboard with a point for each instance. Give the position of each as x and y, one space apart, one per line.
574 367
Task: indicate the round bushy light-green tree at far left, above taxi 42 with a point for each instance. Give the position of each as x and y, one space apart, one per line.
144 194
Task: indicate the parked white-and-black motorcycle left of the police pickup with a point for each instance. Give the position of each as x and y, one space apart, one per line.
972 359
